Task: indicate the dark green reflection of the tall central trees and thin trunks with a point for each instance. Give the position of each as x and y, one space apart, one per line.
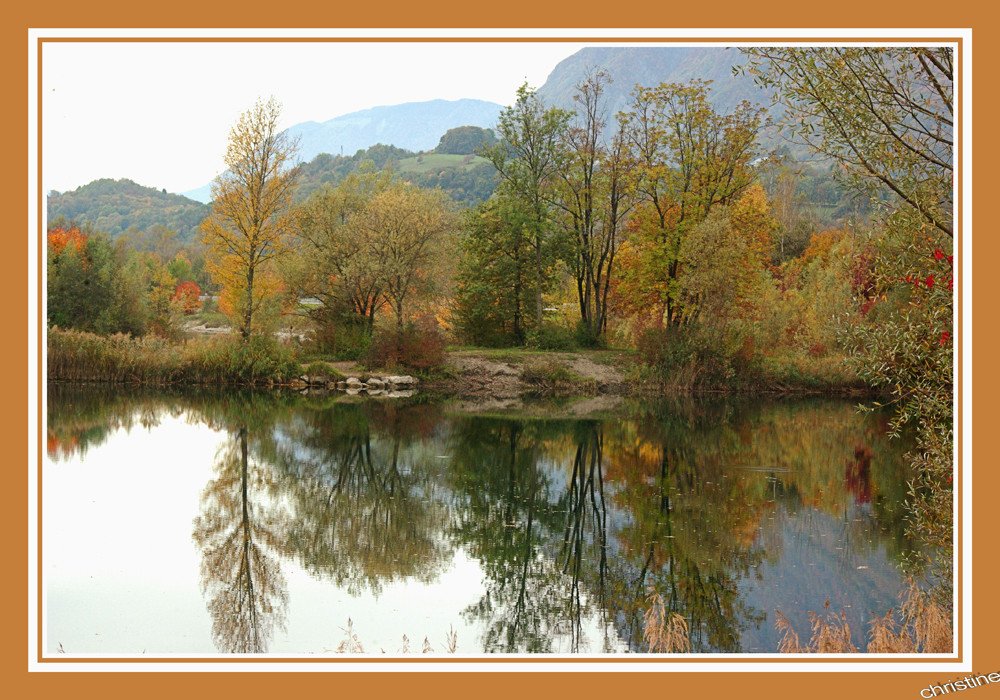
540 536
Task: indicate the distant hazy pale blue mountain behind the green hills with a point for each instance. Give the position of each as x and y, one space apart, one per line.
413 126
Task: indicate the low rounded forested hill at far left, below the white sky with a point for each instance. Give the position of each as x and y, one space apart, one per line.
114 206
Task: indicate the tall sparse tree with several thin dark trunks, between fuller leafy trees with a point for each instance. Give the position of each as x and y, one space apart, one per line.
594 196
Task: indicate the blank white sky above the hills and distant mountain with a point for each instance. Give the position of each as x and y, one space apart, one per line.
160 113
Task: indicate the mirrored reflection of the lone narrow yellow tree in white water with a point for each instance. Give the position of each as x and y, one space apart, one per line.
247 595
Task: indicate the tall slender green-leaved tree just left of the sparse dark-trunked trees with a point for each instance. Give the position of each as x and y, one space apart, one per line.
528 161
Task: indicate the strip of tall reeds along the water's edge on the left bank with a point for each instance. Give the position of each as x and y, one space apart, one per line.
120 358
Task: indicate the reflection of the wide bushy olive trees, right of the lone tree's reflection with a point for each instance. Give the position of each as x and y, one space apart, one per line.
364 500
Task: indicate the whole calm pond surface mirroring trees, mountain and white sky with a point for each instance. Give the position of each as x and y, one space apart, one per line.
200 523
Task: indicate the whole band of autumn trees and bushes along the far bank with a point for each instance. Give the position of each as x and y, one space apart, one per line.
663 230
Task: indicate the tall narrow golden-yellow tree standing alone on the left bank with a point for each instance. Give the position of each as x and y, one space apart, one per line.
251 223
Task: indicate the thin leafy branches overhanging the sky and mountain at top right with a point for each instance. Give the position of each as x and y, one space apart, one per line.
886 113
